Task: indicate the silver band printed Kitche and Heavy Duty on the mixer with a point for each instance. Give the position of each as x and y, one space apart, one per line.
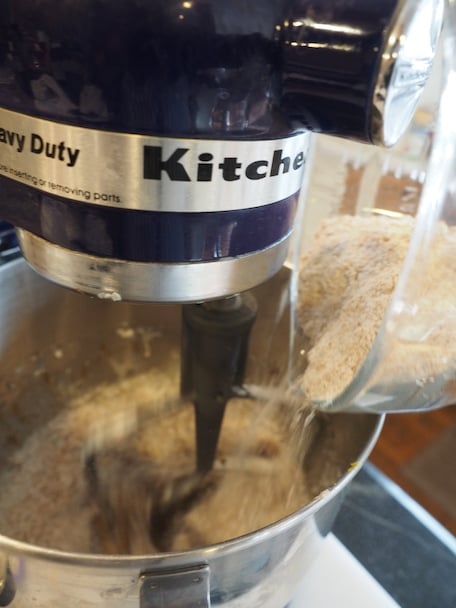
147 172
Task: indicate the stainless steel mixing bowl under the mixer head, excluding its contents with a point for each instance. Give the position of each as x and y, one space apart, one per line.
37 321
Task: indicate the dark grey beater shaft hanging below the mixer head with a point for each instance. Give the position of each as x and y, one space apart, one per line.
215 338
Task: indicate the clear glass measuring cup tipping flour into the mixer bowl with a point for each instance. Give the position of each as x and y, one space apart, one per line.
411 363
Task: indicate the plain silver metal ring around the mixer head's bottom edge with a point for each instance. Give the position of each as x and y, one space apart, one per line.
116 280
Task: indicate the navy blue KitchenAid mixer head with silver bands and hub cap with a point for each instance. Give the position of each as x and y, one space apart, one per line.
154 150
